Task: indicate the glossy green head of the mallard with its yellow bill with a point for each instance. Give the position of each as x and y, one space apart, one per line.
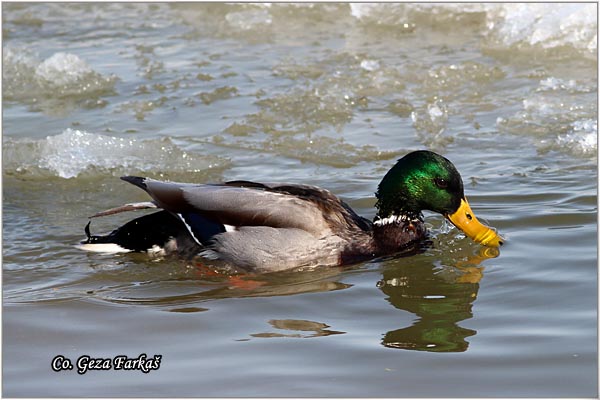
423 180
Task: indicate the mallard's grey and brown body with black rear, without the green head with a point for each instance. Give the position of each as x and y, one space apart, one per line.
262 226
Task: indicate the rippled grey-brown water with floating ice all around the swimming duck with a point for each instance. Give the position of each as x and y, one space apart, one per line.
327 94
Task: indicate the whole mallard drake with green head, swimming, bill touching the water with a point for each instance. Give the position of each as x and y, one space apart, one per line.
263 227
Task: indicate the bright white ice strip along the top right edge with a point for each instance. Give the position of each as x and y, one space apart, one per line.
506 24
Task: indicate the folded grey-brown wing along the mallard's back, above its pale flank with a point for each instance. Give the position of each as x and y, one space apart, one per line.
245 203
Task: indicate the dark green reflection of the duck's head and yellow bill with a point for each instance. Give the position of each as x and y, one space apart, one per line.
440 295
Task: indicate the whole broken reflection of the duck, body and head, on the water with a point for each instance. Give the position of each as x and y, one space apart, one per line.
436 288
